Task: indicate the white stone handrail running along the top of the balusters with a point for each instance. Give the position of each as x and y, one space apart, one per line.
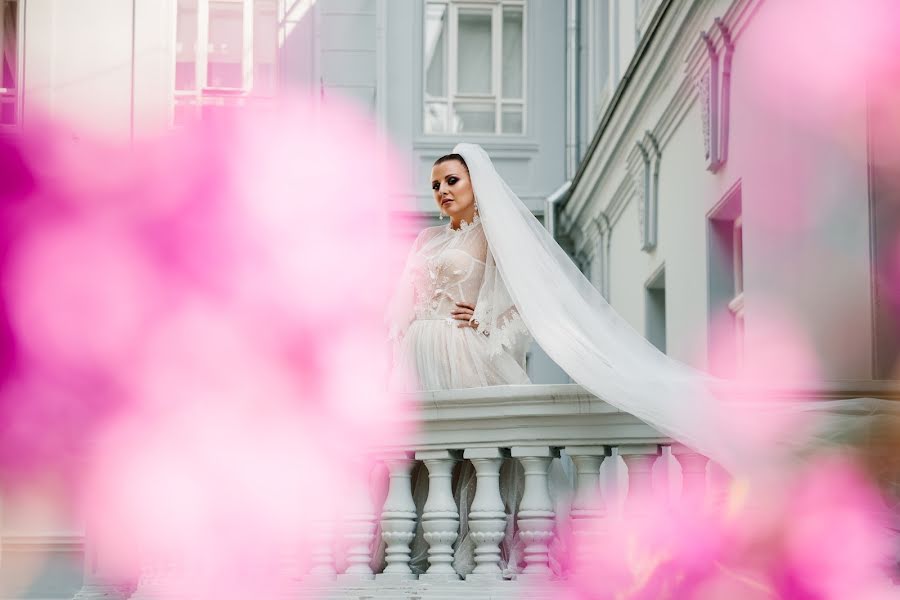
562 415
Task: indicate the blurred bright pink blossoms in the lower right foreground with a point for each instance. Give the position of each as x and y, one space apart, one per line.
819 533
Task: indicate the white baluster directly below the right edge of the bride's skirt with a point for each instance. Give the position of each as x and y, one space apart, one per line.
536 518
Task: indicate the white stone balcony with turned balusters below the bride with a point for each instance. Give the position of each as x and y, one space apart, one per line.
608 460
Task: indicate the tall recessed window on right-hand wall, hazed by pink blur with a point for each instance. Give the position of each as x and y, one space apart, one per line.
726 285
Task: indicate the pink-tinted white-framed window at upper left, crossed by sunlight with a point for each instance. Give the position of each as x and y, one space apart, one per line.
225 53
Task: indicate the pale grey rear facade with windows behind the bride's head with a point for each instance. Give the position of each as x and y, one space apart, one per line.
431 73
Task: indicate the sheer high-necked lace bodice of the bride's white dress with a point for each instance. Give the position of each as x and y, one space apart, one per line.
448 268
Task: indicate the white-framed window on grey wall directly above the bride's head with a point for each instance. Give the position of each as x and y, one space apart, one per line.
474 80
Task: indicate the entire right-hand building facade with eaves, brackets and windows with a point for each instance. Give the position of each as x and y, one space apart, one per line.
721 200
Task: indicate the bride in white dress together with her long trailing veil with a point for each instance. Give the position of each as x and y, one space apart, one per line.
475 291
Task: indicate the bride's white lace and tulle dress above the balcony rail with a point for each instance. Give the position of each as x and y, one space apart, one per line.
431 352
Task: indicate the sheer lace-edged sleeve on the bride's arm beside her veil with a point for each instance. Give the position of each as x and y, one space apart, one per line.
497 315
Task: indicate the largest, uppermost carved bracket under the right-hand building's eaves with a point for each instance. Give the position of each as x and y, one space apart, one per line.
711 75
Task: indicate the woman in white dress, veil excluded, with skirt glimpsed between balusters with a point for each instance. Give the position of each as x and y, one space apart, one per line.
446 341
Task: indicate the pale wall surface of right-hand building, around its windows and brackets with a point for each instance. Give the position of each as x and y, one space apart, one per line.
809 265
